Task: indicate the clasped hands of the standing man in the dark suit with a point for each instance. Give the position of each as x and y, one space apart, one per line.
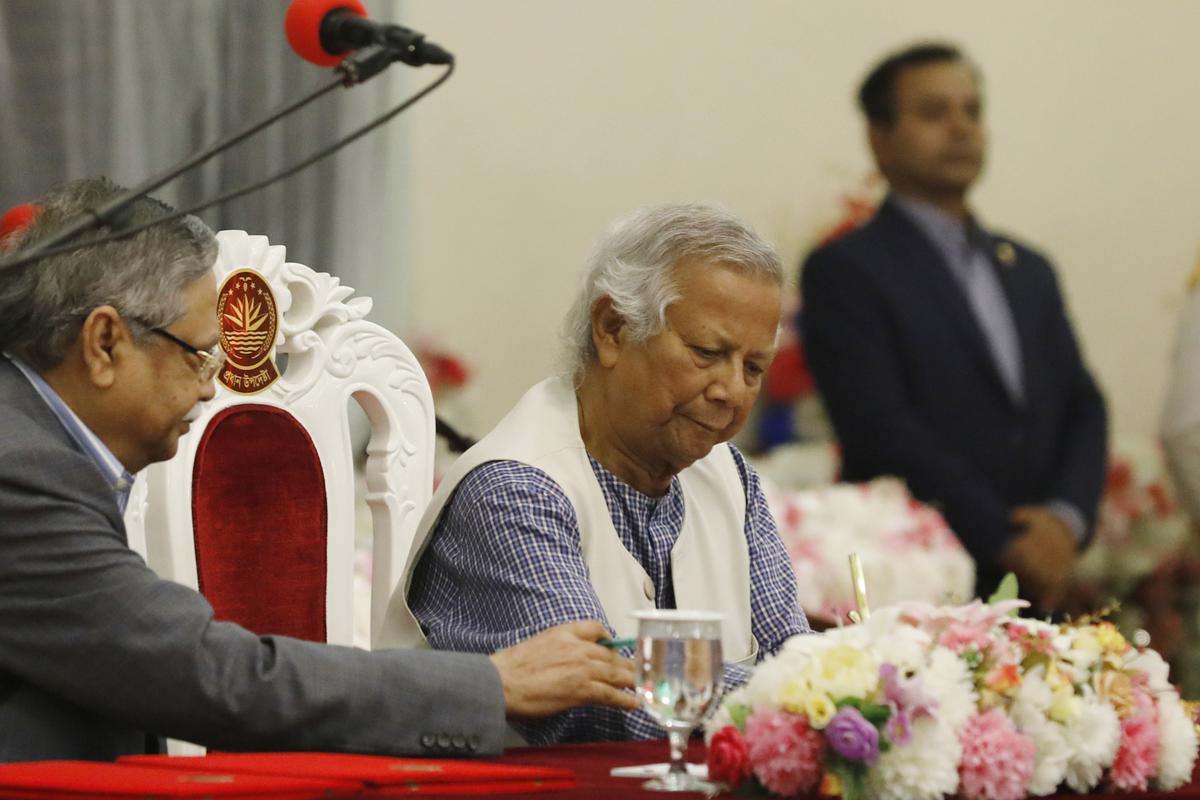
1042 555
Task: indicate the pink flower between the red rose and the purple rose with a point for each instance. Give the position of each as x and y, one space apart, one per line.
785 753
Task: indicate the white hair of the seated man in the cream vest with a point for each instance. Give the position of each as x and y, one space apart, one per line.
634 264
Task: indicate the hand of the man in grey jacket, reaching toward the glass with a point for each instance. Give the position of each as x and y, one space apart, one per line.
563 667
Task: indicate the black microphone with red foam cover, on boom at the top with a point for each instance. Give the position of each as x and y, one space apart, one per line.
325 32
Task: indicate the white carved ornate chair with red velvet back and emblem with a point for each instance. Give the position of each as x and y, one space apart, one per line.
257 509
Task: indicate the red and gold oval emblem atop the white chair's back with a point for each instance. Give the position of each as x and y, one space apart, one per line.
249 323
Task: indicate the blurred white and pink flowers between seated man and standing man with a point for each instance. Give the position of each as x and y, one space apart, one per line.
907 549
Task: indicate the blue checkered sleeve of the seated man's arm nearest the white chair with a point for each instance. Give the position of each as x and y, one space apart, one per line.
505 564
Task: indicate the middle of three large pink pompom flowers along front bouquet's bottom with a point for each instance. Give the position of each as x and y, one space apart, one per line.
998 760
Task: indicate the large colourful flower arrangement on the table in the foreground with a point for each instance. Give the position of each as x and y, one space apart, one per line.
923 702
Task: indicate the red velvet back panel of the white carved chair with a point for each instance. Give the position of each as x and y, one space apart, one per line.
260 520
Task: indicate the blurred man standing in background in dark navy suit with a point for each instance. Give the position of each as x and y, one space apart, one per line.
944 351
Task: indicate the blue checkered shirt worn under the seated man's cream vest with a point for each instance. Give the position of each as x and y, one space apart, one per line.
506 562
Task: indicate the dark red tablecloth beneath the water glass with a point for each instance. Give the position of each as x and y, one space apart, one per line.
593 762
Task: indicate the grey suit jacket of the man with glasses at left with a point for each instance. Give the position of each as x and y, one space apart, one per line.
99 655
